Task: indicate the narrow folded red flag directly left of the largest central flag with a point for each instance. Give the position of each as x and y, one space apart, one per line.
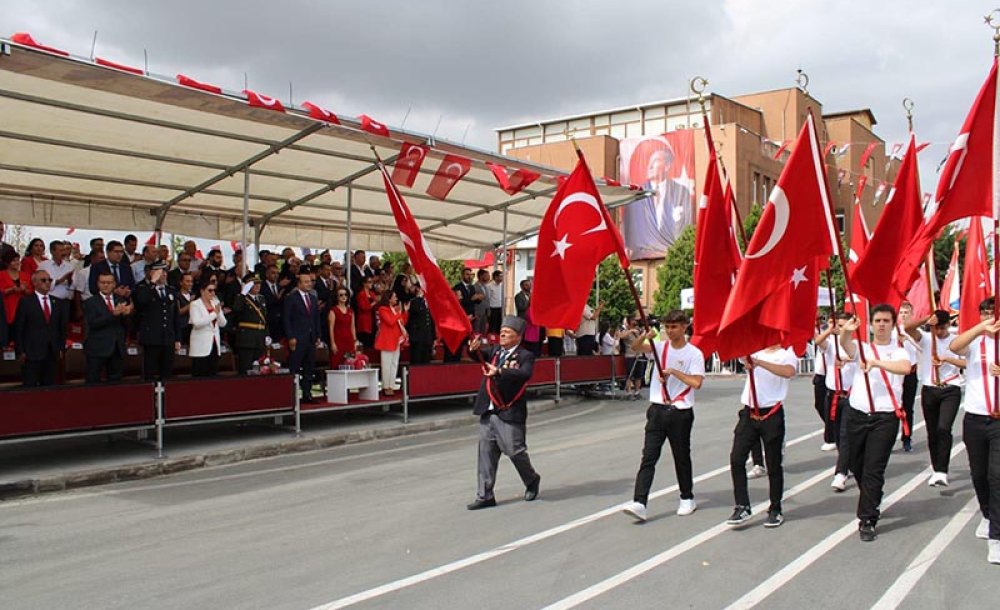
716 255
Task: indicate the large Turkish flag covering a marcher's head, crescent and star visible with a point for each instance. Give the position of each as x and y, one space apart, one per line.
781 260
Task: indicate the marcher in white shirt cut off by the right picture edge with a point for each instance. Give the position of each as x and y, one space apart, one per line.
981 426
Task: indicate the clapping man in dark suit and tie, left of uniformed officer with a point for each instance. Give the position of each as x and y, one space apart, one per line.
106 317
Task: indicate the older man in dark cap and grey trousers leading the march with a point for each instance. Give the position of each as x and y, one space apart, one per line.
503 411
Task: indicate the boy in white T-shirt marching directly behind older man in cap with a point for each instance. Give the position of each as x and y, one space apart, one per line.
679 371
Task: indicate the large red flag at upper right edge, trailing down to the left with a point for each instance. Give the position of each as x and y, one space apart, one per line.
965 187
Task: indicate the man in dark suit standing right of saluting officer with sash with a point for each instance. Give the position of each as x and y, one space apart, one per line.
301 324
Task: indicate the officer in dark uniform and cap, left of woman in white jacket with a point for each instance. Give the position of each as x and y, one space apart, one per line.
156 305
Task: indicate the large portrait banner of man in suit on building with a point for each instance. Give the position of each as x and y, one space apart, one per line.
663 164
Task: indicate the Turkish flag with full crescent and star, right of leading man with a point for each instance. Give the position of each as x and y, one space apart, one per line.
576 234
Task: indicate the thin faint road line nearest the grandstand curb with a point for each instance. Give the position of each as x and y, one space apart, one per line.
71 495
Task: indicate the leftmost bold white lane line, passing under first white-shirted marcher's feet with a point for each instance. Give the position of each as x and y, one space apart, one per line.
472 560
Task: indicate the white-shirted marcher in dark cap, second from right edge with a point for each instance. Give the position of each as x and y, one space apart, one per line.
940 372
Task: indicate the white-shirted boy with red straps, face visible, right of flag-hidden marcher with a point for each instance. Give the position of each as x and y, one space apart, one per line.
873 418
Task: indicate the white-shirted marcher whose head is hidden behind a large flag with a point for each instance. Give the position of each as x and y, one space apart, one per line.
762 419
